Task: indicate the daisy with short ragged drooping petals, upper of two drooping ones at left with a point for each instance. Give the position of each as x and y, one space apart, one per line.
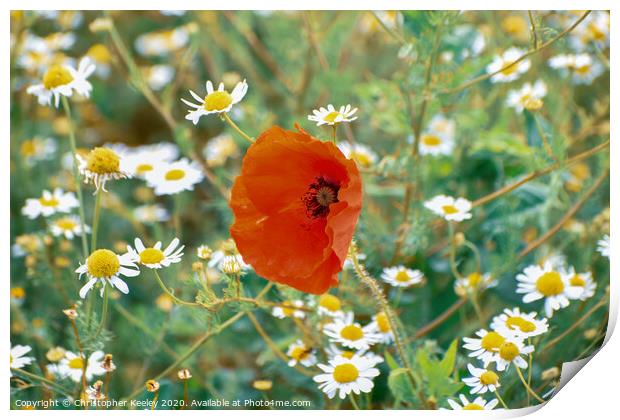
100 165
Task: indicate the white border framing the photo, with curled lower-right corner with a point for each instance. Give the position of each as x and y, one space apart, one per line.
593 393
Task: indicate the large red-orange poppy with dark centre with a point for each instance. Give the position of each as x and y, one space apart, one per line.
296 204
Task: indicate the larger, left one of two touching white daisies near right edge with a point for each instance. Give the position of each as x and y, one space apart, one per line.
544 282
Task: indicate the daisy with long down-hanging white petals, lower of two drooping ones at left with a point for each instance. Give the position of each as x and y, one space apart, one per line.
104 266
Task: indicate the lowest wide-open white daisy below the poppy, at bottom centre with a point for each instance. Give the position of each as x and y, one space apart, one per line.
345 375
